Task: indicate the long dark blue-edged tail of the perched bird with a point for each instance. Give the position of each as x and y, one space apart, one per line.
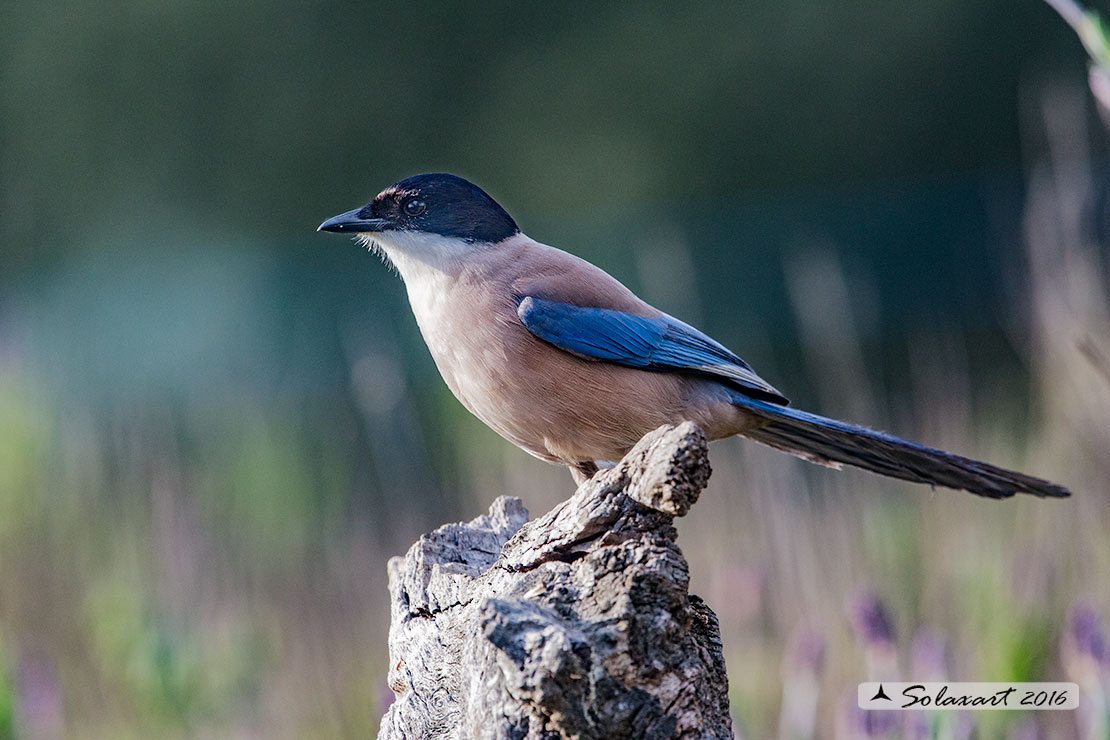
832 443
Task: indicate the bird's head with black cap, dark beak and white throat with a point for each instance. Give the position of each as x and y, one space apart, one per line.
428 217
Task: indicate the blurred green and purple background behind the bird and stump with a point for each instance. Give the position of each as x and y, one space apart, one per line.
216 425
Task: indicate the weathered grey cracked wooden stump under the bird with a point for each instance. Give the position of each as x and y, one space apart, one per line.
577 625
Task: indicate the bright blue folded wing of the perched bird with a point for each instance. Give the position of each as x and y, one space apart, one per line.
654 344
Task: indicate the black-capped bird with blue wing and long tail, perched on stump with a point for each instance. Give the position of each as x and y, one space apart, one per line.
563 361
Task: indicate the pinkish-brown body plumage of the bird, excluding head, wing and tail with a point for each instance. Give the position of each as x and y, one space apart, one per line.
553 404
